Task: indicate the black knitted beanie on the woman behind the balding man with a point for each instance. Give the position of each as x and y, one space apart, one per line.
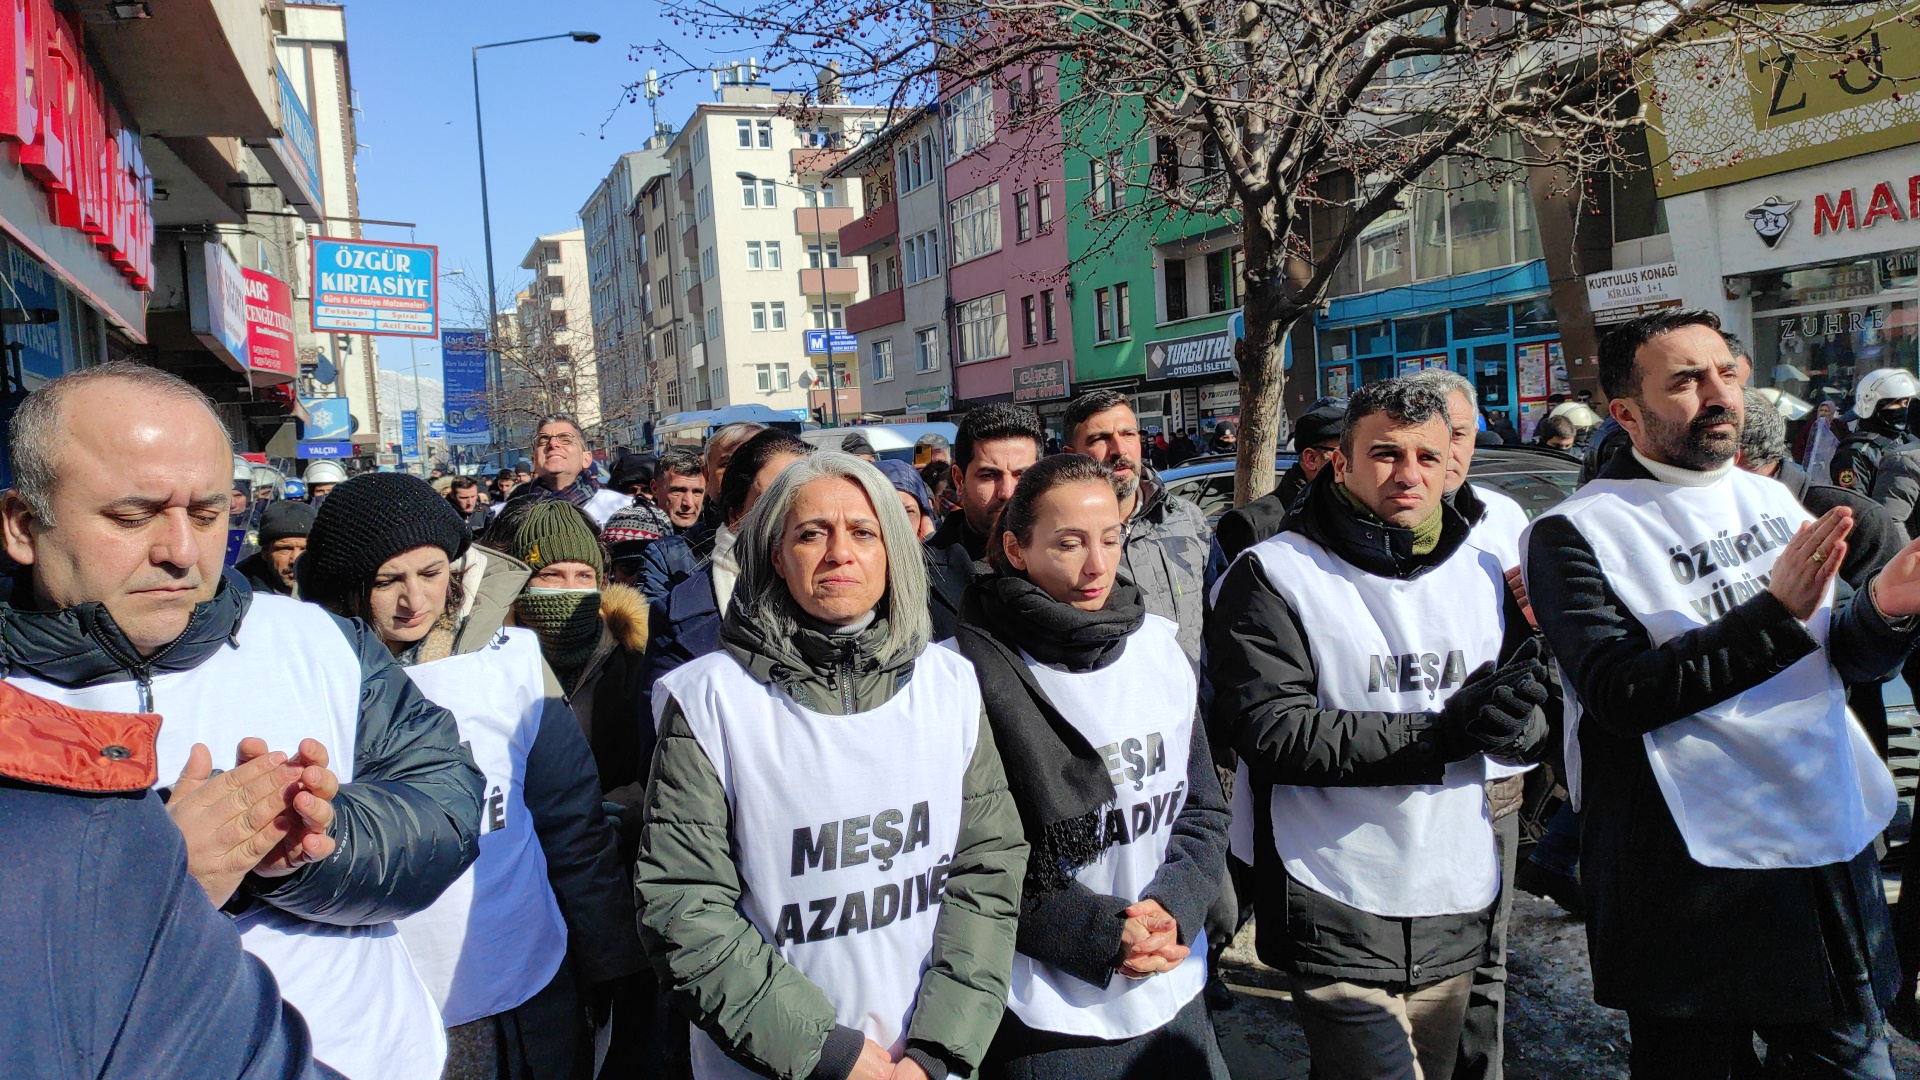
368 522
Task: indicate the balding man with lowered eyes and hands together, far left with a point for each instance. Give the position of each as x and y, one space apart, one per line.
118 520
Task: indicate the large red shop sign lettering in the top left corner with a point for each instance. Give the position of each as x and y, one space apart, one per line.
70 139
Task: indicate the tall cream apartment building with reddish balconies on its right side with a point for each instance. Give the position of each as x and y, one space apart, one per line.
757 222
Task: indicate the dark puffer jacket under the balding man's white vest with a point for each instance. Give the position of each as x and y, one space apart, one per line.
408 823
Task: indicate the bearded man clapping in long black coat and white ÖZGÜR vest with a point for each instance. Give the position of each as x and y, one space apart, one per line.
1729 802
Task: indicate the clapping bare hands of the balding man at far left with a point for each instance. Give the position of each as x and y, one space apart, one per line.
231 822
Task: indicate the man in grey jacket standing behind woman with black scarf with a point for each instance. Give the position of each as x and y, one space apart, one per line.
1166 535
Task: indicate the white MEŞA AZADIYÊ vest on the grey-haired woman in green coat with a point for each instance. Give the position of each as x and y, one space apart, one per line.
844 827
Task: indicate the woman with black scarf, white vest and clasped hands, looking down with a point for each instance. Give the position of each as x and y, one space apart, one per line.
1095 710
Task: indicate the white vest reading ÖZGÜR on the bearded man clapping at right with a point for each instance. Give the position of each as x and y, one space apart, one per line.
1779 775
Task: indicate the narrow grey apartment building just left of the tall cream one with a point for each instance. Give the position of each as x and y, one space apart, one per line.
615 251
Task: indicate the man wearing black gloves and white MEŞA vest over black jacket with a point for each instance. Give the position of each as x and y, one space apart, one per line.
1366 666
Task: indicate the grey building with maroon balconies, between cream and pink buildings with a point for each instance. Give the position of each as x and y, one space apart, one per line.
901 328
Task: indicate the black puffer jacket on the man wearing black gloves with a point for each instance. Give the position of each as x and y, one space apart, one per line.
1266 708
